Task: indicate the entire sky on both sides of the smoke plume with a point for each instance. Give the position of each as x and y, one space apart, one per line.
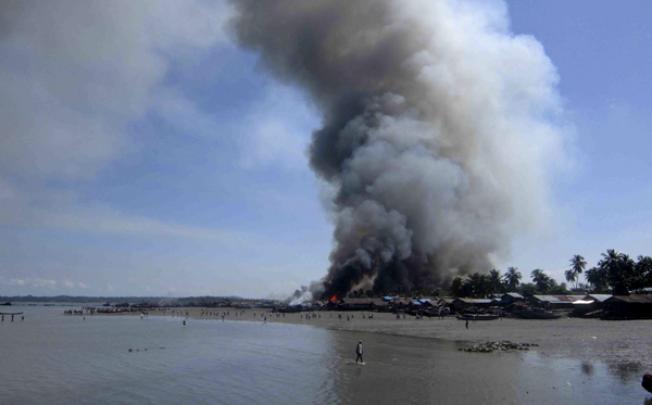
143 153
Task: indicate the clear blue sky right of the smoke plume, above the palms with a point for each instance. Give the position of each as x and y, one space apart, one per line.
602 57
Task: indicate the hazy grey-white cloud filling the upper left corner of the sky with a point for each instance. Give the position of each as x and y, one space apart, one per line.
74 74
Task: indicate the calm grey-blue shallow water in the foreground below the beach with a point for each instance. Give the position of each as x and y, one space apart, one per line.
56 359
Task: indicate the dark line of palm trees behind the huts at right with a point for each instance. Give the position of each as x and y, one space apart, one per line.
615 273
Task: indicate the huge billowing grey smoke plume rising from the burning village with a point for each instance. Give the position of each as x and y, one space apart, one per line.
437 124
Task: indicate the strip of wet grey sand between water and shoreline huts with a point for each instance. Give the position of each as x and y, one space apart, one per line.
621 343
